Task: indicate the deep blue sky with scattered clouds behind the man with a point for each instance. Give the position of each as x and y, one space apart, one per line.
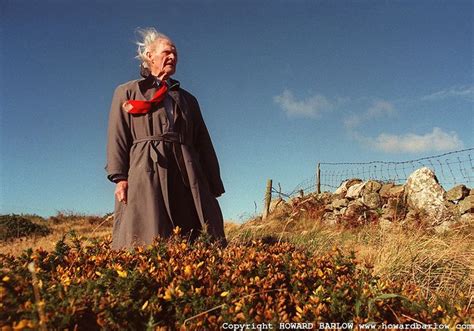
282 85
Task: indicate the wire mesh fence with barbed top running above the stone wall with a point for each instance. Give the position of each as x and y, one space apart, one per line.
452 168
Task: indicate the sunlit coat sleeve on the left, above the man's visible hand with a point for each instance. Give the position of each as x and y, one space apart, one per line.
119 138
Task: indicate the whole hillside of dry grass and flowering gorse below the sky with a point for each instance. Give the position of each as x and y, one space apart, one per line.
294 266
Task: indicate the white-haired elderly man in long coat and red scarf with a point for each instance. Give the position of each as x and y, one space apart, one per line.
160 155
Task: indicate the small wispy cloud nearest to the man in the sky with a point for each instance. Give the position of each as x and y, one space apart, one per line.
311 107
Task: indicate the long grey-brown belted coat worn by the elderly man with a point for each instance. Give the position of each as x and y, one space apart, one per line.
136 149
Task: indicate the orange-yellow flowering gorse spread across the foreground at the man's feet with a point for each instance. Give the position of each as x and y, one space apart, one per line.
175 284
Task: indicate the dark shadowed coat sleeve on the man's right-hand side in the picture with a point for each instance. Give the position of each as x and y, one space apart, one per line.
207 154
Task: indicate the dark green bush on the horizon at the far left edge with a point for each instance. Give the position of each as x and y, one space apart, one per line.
15 226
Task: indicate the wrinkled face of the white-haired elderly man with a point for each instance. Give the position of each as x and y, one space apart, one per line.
162 58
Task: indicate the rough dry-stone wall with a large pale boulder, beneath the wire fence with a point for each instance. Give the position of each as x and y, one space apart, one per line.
421 199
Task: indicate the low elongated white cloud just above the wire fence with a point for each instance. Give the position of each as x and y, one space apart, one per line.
436 141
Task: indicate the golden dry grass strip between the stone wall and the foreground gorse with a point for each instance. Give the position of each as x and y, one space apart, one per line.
442 265
